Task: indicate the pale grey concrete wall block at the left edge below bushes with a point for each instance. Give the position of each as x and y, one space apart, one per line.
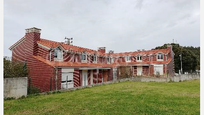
15 87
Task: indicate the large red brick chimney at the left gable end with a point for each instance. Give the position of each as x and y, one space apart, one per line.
31 37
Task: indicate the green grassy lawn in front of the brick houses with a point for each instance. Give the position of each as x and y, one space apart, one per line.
115 99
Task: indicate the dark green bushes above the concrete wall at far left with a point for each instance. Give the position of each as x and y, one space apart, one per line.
14 69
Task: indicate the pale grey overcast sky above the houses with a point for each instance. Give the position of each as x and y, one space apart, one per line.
119 25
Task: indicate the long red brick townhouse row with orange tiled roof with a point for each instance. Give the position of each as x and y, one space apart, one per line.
56 65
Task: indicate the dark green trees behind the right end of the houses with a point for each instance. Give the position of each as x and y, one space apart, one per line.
190 57
